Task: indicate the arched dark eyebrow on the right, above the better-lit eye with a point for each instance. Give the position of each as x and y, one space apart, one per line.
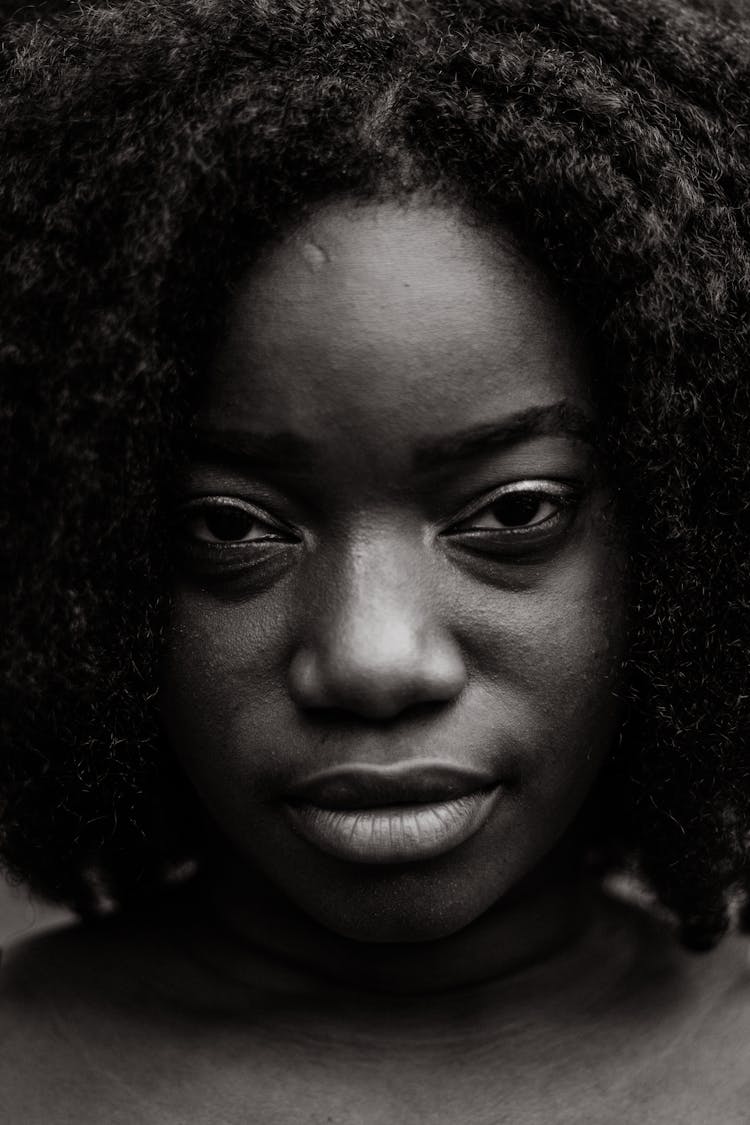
559 419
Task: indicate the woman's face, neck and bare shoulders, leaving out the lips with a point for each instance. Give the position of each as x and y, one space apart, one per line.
372 605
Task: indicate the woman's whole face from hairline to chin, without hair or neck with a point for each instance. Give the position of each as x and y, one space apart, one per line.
397 624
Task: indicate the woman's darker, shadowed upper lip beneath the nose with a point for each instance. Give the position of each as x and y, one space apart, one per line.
362 786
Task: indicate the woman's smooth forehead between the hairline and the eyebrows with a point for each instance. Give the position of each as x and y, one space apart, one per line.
411 319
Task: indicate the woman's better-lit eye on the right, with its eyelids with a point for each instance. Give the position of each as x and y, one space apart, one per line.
525 514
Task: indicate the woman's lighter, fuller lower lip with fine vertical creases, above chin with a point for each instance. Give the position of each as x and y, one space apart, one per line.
396 834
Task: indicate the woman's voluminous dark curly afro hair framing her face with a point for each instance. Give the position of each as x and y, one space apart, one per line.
150 148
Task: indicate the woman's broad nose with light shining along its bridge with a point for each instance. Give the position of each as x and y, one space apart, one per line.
376 643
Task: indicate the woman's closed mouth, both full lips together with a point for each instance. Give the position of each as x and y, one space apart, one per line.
403 814
